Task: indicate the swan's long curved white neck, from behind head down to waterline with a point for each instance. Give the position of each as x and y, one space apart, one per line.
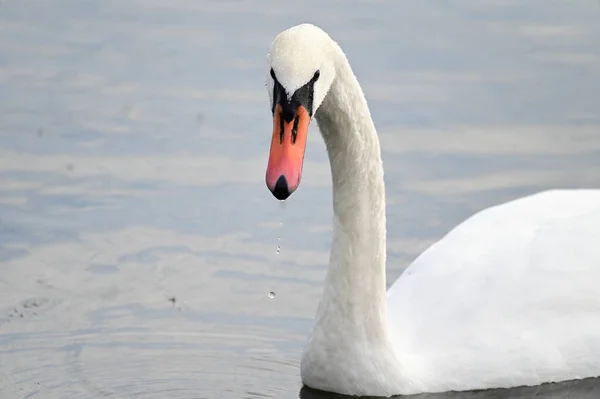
349 347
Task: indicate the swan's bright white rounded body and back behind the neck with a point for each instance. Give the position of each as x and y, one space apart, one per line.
509 297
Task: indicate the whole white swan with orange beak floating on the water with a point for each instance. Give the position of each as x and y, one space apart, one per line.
509 297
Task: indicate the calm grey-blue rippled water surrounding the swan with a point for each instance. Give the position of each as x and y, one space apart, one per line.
136 231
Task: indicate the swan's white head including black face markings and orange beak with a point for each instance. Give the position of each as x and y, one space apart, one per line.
299 74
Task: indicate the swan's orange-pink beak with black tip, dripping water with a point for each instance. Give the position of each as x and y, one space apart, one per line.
287 151
